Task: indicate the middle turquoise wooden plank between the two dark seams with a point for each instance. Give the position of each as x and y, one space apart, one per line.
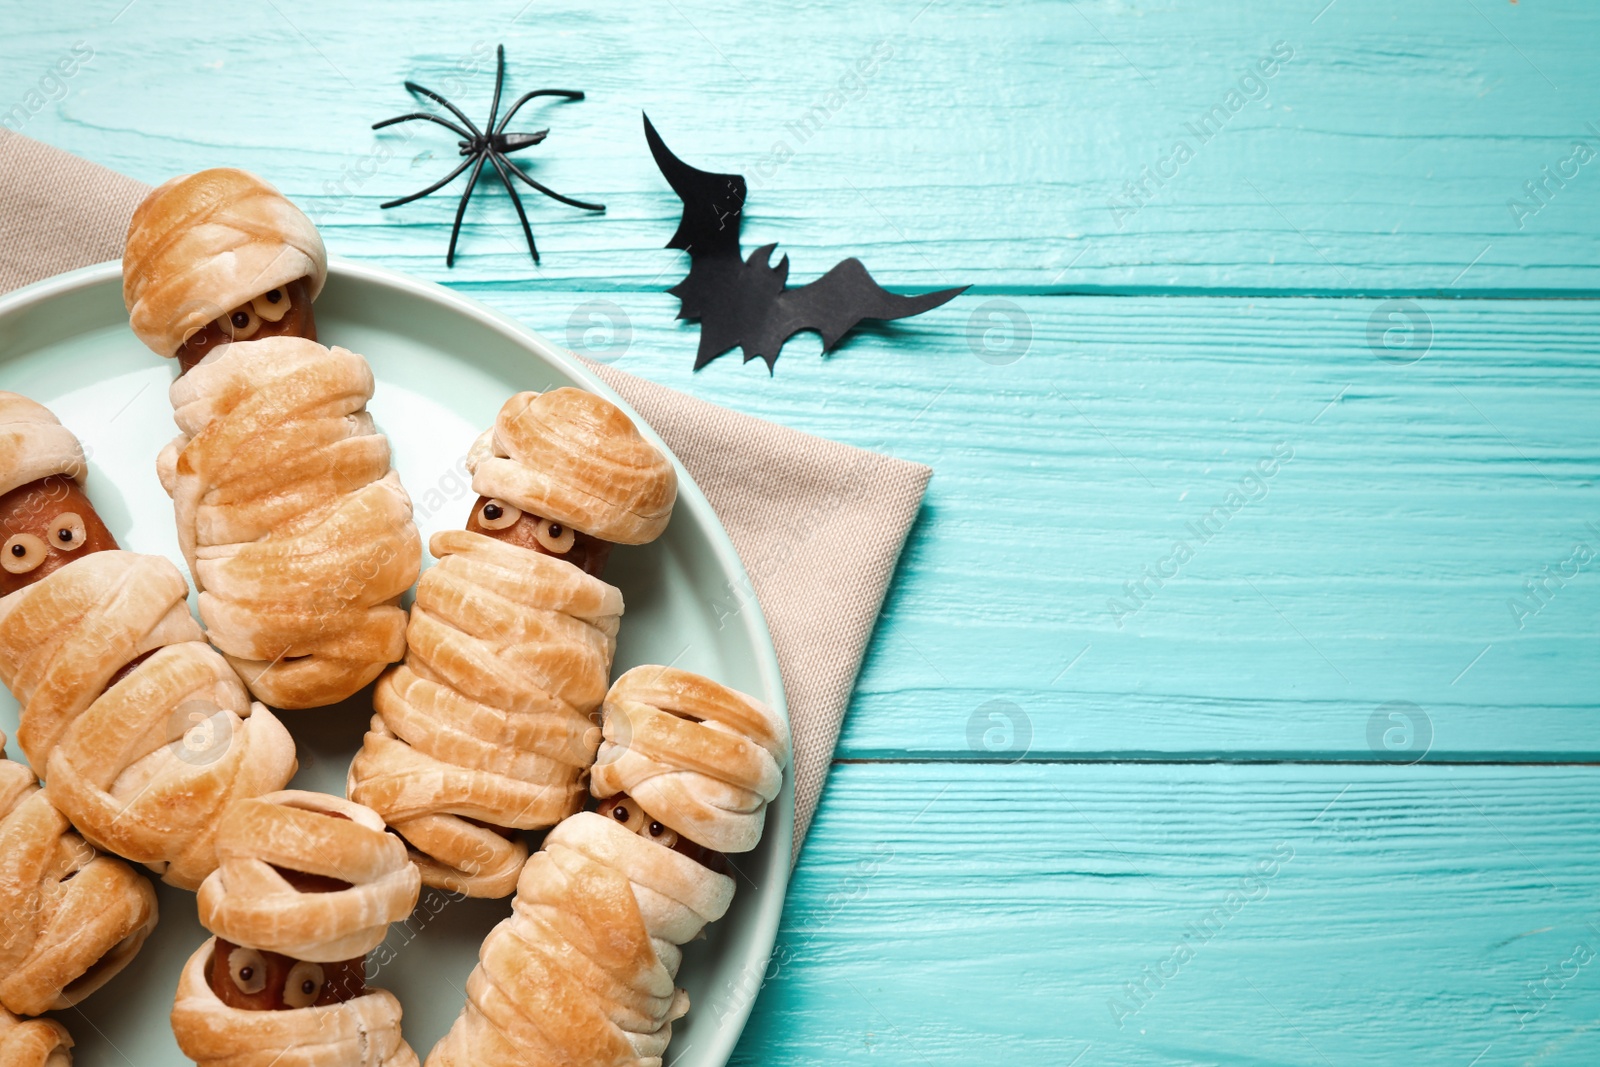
1378 565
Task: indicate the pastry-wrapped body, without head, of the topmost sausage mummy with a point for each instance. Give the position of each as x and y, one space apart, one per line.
292 518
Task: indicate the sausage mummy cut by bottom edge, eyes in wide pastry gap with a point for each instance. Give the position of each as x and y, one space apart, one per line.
308 885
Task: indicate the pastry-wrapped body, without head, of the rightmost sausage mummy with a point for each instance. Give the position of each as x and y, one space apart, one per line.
583 972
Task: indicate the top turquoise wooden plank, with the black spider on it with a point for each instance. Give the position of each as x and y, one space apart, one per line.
1383 154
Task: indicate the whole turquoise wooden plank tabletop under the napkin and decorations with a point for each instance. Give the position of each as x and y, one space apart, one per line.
1239 695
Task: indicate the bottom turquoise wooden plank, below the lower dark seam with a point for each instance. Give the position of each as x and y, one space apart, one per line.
1289 916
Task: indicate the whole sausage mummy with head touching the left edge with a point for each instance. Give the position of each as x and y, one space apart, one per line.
143 732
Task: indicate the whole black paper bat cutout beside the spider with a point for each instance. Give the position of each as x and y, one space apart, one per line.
748 303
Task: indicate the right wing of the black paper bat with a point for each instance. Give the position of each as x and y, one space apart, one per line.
833 306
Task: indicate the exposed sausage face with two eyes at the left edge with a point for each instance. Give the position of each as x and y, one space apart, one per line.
46 526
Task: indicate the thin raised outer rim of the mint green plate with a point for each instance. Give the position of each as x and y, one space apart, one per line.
780 837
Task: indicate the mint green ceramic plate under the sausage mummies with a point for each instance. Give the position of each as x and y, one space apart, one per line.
444 366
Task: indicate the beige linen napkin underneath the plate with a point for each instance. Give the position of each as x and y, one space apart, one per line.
818 524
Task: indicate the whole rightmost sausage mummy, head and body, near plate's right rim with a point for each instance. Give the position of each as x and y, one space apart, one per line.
585 969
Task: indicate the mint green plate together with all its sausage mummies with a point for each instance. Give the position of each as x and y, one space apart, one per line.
378 689
